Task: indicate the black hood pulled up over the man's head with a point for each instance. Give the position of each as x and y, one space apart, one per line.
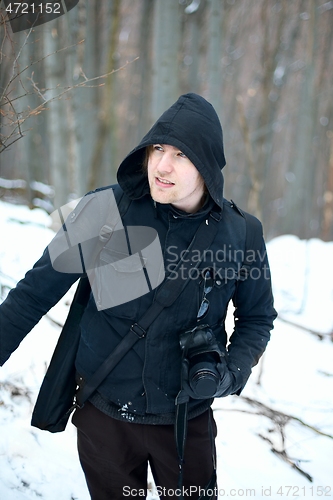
192 125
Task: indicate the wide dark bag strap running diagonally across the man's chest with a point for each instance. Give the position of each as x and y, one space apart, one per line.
168 292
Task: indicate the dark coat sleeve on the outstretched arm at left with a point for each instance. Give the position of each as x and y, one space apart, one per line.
69 255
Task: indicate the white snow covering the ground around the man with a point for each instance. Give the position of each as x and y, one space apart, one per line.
286 406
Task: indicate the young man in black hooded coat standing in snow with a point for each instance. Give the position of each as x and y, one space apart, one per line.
174 183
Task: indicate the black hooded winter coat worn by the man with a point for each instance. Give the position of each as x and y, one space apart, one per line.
147 380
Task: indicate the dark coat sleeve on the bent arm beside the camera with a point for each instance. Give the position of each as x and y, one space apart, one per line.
254 315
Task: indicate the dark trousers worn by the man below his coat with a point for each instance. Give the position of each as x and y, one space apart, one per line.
114 456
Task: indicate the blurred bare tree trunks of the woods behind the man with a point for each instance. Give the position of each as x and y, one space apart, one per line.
266 66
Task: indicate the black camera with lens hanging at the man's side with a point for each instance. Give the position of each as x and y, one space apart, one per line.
202 353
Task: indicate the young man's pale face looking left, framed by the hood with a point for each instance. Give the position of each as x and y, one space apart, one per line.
174 179
